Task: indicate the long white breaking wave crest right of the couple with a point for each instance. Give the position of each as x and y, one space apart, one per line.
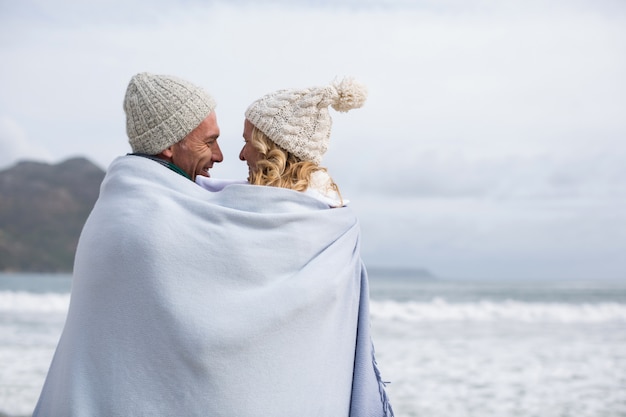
439 310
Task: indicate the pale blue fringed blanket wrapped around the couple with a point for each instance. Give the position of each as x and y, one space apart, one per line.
187 302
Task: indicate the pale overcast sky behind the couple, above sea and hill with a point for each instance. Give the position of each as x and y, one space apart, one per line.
492 144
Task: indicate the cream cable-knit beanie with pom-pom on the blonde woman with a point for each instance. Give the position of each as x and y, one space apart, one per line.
298 120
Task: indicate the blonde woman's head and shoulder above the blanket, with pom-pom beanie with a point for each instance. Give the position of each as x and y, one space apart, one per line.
286 134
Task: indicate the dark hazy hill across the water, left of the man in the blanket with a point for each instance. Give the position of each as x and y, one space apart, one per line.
42 210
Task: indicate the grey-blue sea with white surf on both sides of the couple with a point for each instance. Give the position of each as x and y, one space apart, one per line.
447 348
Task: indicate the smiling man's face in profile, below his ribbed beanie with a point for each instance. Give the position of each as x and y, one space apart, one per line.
197 152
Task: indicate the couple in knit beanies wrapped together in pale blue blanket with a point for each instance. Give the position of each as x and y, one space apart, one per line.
193 296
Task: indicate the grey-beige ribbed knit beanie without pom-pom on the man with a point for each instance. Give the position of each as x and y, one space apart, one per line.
161 110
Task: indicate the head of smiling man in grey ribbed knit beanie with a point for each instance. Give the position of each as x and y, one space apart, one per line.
173 122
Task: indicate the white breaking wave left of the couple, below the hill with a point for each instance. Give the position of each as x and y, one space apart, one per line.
26 302
